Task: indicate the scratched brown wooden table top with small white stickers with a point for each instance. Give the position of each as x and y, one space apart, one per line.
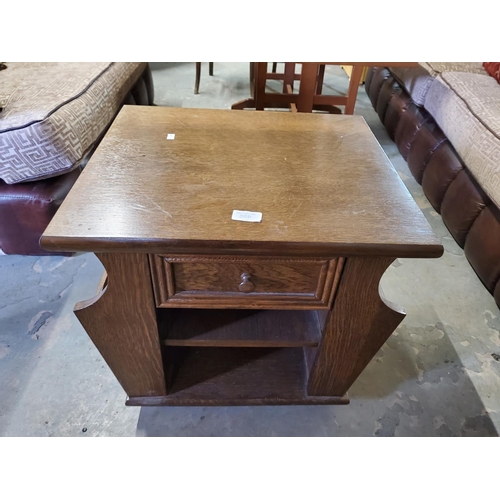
322 182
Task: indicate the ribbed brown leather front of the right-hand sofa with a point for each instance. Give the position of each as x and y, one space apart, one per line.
468 212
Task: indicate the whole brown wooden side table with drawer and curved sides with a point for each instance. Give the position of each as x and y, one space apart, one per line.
199 309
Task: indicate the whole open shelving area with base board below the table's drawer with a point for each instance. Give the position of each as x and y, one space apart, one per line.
231 357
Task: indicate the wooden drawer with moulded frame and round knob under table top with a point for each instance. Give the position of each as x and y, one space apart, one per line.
239 282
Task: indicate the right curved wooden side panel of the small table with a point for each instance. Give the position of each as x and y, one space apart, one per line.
356 327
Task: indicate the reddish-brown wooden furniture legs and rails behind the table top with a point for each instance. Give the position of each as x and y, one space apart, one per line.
310 97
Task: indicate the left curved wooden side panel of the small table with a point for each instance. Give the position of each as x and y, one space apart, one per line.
121 321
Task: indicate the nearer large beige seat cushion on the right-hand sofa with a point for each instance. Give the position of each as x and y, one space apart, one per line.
467 108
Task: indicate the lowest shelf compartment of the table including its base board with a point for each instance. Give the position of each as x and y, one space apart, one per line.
218 376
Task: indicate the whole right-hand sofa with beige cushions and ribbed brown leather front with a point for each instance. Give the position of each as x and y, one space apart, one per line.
445 120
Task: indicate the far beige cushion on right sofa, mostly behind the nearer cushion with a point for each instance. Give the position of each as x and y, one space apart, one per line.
417 80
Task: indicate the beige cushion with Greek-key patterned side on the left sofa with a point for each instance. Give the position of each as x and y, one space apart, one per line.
54 112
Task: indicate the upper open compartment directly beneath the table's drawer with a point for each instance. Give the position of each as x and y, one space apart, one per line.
238 328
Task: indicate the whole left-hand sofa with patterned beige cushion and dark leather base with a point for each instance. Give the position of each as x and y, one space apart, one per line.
53 117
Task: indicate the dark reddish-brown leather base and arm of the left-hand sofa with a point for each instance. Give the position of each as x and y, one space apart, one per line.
26 208
